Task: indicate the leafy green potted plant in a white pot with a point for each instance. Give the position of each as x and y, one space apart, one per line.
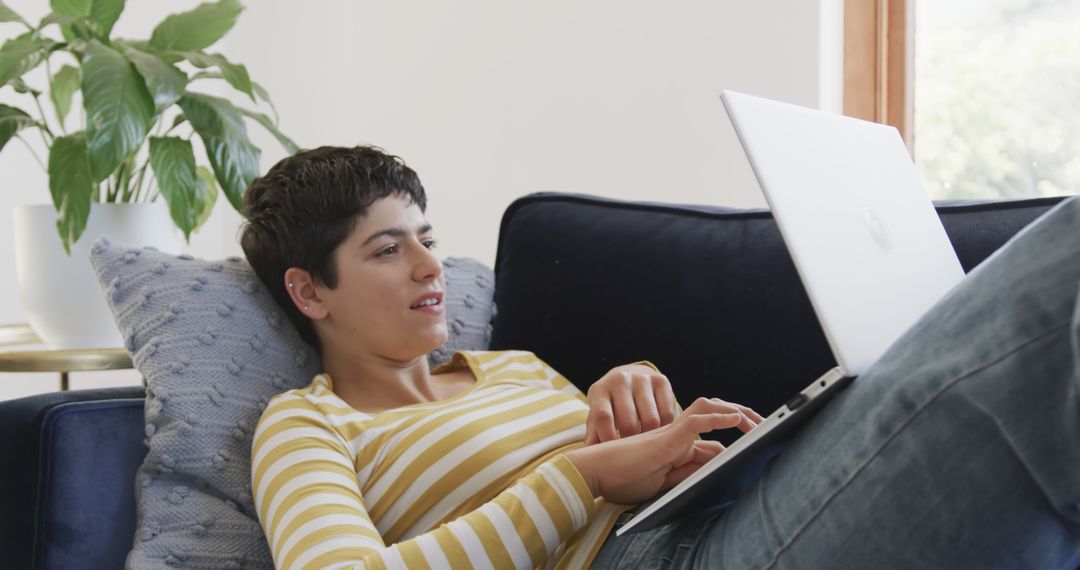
142 114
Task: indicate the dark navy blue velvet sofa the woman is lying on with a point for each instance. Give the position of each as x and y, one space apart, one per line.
710 295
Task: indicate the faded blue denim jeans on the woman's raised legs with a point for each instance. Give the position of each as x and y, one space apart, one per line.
960 449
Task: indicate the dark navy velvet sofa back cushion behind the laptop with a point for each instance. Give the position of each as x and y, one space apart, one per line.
708 294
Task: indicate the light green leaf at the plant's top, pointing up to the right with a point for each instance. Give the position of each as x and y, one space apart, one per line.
197 30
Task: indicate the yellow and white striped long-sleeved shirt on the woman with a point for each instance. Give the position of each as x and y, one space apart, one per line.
478 481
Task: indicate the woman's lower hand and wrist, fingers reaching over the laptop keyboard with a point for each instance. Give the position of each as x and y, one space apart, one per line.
632 470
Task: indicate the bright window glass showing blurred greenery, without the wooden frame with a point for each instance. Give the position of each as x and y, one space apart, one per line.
997 98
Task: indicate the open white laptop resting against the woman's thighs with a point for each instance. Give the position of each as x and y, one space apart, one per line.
868 246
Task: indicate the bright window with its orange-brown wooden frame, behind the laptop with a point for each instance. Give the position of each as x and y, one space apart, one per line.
989 90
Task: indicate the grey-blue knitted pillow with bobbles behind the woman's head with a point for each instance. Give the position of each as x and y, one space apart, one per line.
213 349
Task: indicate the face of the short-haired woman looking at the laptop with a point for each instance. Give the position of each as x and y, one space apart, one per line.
385 269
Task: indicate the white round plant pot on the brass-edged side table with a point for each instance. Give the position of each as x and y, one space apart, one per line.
61 296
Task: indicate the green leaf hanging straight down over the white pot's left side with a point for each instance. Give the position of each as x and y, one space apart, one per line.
72 186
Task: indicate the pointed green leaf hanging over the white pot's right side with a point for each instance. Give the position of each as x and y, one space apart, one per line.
174 167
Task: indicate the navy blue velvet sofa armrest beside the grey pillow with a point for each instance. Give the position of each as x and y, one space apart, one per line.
70 469
